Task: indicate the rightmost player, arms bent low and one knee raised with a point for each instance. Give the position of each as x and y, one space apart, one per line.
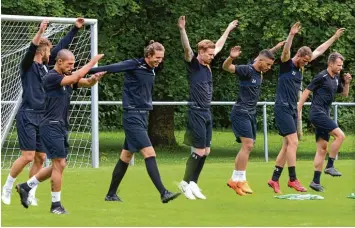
324 86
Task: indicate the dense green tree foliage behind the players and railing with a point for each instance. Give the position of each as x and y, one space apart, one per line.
125 27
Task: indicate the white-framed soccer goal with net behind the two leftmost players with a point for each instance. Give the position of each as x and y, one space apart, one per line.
17 33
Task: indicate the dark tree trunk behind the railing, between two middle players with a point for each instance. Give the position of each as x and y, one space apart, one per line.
161 126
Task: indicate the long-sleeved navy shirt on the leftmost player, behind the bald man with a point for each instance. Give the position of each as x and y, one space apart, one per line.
32 73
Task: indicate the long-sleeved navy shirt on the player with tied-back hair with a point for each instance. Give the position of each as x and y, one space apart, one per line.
138 82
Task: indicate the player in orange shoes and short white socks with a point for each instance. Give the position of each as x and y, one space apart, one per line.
243 115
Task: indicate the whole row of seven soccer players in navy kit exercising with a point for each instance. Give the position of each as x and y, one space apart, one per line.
42 120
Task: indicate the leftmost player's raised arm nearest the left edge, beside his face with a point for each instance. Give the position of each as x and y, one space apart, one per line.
31 52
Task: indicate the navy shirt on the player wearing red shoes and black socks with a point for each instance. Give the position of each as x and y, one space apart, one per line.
288 84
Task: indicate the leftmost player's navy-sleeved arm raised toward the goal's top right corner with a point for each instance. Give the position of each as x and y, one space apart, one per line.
66 40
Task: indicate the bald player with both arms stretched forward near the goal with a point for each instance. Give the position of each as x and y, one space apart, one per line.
58 85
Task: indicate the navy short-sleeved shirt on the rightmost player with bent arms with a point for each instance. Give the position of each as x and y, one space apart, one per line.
324 88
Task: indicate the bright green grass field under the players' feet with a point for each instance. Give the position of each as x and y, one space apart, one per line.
84 191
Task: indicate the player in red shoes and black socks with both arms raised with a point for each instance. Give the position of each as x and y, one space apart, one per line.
289 83
